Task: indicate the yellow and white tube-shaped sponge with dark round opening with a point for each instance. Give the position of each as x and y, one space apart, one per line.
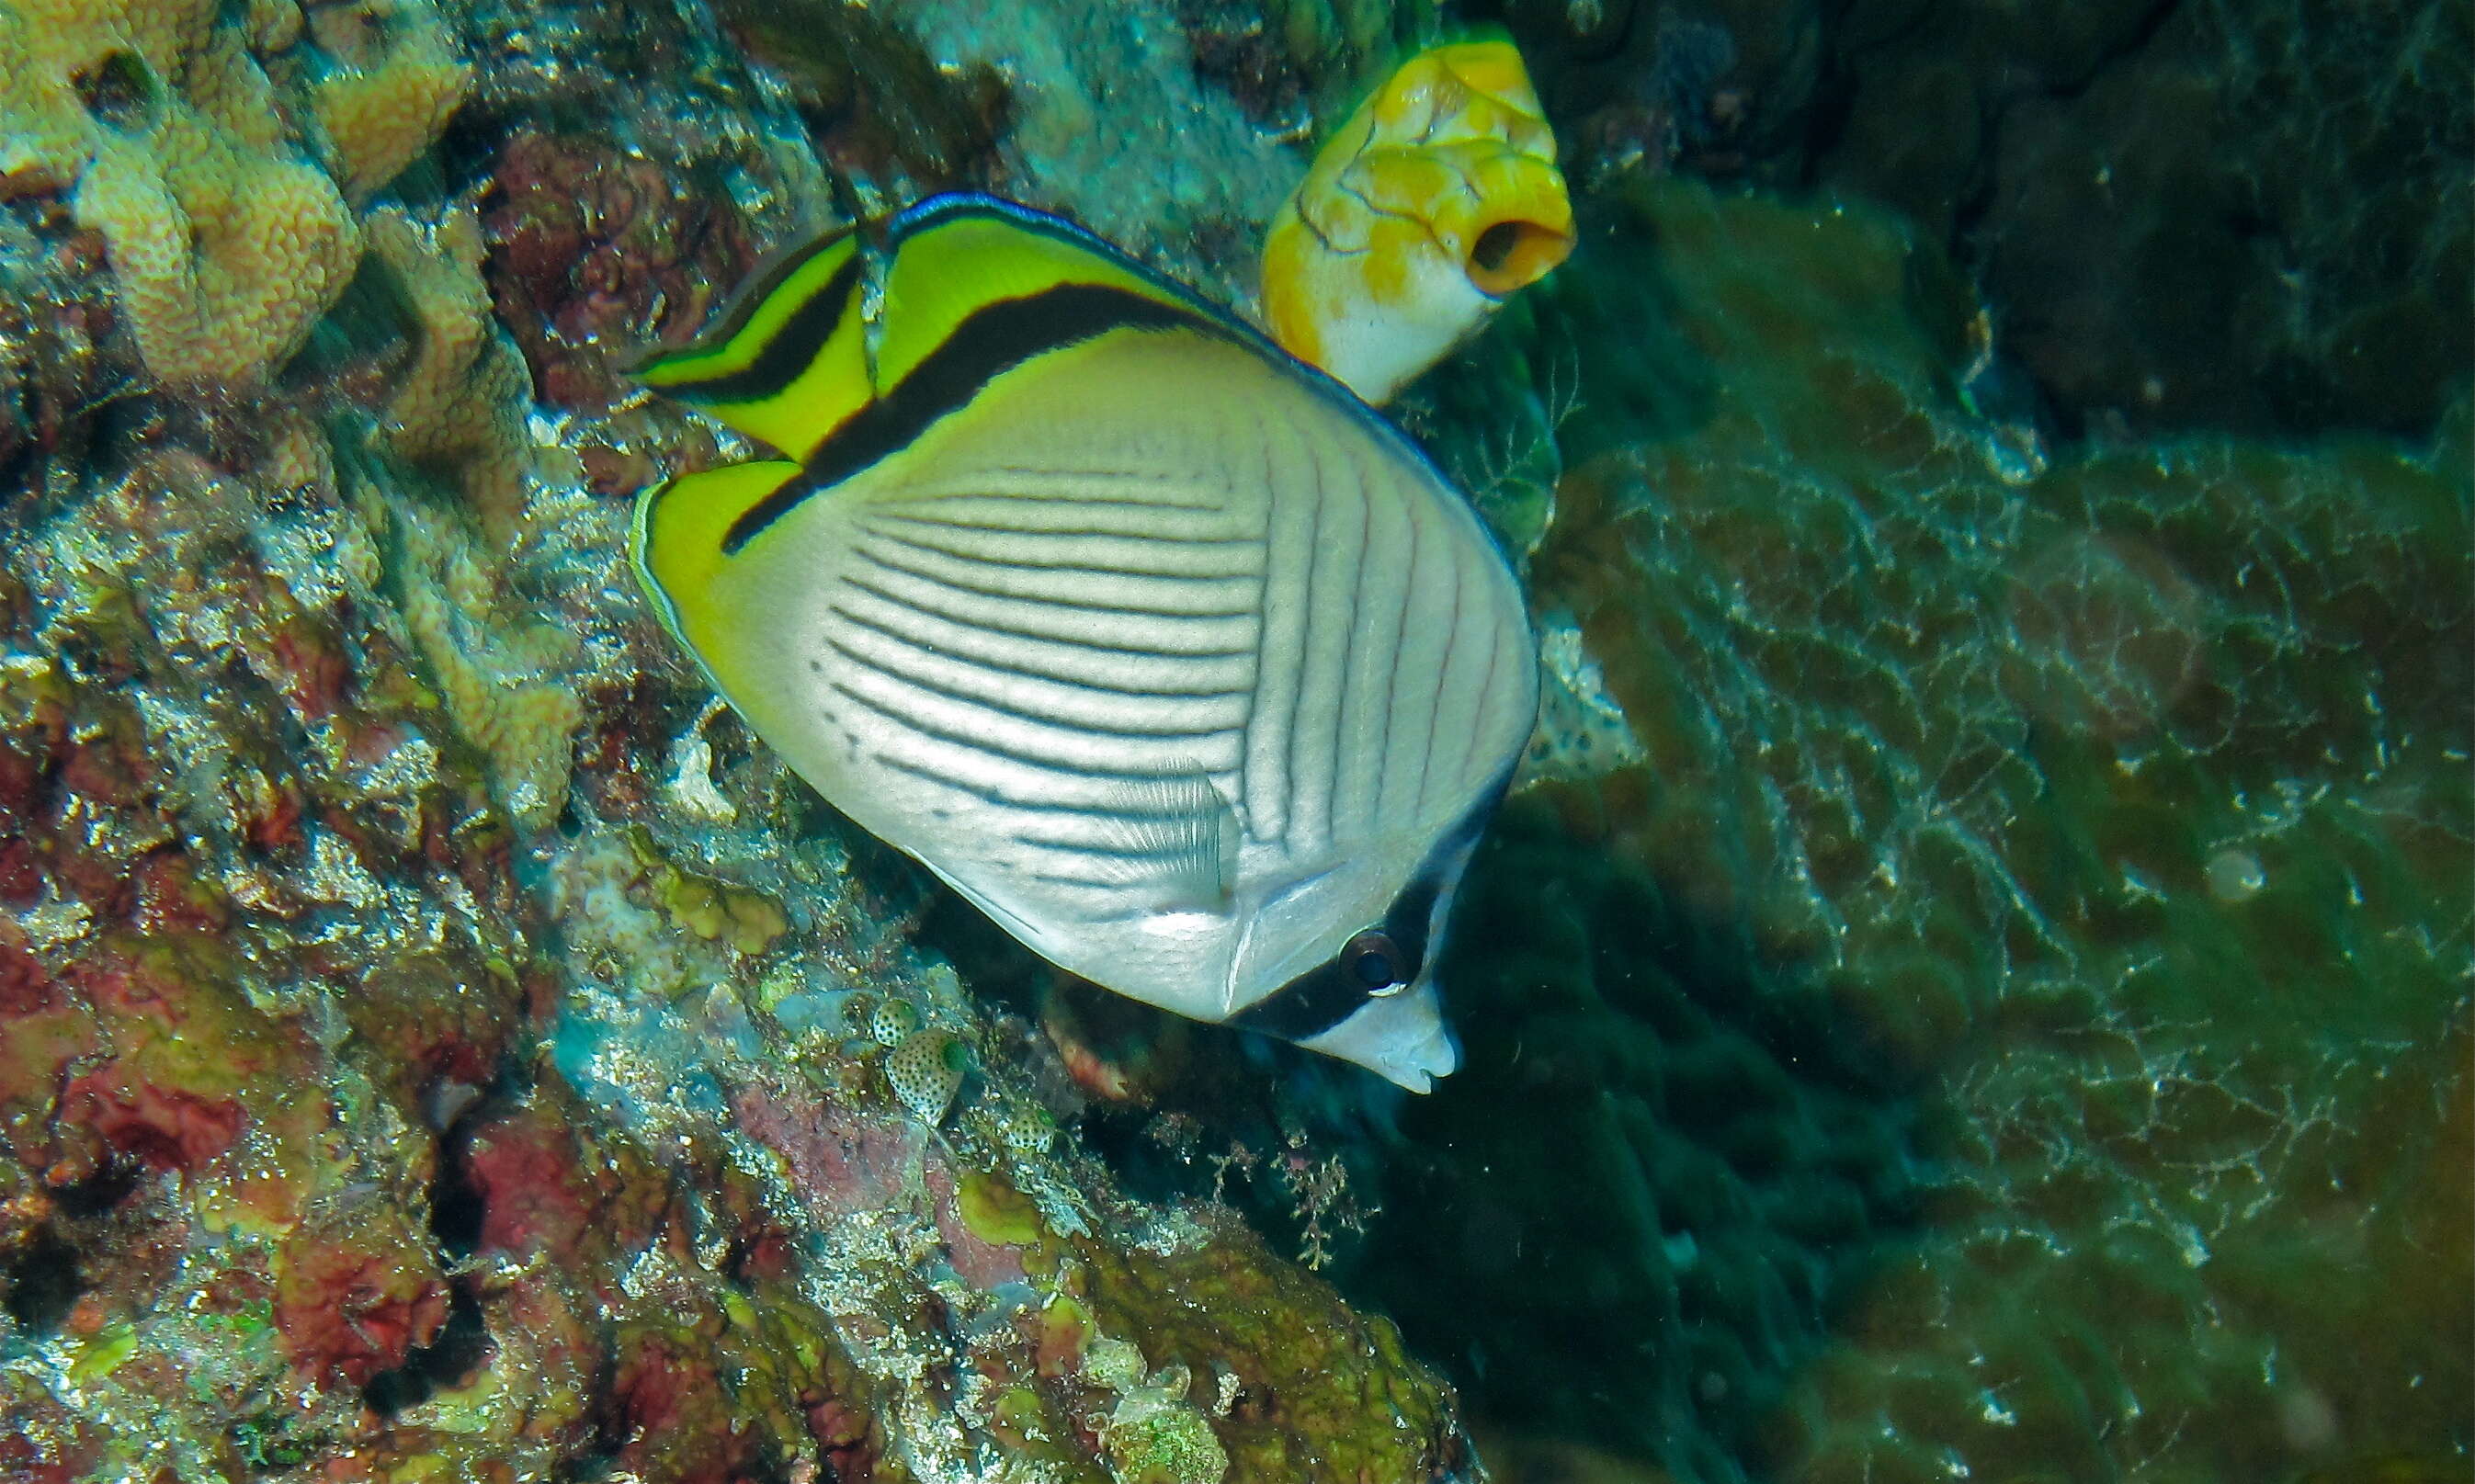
1424 211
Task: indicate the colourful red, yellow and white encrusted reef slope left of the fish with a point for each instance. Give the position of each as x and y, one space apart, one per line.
432 1040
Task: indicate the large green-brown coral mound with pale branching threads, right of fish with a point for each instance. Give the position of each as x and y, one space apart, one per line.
2107 808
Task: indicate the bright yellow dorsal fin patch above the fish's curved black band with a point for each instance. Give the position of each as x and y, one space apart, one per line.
959 256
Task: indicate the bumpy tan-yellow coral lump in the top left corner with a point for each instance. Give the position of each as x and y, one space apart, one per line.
187 140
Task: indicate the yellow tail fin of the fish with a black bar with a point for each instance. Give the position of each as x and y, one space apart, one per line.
788 360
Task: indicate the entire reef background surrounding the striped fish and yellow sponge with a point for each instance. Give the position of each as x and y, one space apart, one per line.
1976 986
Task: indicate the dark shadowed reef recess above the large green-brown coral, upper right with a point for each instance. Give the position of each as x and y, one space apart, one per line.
2187 216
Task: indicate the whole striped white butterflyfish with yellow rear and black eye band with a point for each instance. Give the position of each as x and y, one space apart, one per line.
1152 642
